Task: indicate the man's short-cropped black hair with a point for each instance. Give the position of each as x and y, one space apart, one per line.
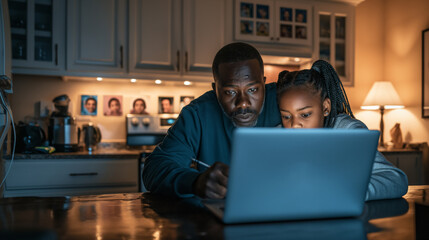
235 52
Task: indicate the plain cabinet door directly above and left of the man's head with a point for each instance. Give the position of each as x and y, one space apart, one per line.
203 27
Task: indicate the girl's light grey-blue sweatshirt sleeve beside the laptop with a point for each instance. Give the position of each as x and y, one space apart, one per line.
387 181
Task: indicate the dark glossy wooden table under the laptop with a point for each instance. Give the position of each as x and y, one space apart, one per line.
145 216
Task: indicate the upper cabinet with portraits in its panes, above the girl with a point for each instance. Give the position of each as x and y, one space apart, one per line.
287 22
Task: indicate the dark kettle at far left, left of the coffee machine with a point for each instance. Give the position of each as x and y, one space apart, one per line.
28 137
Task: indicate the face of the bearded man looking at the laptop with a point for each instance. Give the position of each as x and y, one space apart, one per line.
240 90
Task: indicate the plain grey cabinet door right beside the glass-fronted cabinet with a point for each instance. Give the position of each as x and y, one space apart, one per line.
96 31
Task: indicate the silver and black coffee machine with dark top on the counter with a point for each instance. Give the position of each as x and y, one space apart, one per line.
63 132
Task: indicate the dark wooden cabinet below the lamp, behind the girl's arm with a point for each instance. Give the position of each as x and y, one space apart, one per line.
409 161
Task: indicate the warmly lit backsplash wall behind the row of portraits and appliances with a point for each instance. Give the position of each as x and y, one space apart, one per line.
33 97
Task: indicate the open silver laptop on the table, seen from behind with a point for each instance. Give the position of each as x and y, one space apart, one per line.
294 174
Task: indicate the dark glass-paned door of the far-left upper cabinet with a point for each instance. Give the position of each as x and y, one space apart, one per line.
34 40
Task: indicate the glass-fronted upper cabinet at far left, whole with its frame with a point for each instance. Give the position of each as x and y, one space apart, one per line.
38 36
